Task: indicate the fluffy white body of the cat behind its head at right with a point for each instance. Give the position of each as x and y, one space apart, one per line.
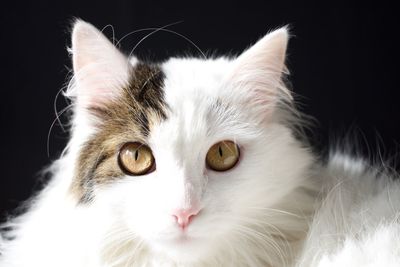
357 223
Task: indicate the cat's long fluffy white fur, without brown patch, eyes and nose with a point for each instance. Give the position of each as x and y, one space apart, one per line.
272 221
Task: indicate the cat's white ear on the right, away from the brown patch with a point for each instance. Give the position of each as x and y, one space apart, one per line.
257 73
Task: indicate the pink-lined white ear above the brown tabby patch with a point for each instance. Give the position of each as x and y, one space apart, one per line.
100 69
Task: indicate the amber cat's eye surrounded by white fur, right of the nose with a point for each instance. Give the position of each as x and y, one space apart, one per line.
223 156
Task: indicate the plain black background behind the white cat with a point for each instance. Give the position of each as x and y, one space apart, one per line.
343 61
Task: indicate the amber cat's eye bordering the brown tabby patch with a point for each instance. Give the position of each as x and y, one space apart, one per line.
136 159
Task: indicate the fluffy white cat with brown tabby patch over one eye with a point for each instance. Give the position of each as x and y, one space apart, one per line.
198 162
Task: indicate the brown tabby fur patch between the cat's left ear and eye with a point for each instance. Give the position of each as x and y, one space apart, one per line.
130 118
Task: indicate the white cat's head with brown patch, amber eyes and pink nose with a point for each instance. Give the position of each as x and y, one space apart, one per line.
188 155
